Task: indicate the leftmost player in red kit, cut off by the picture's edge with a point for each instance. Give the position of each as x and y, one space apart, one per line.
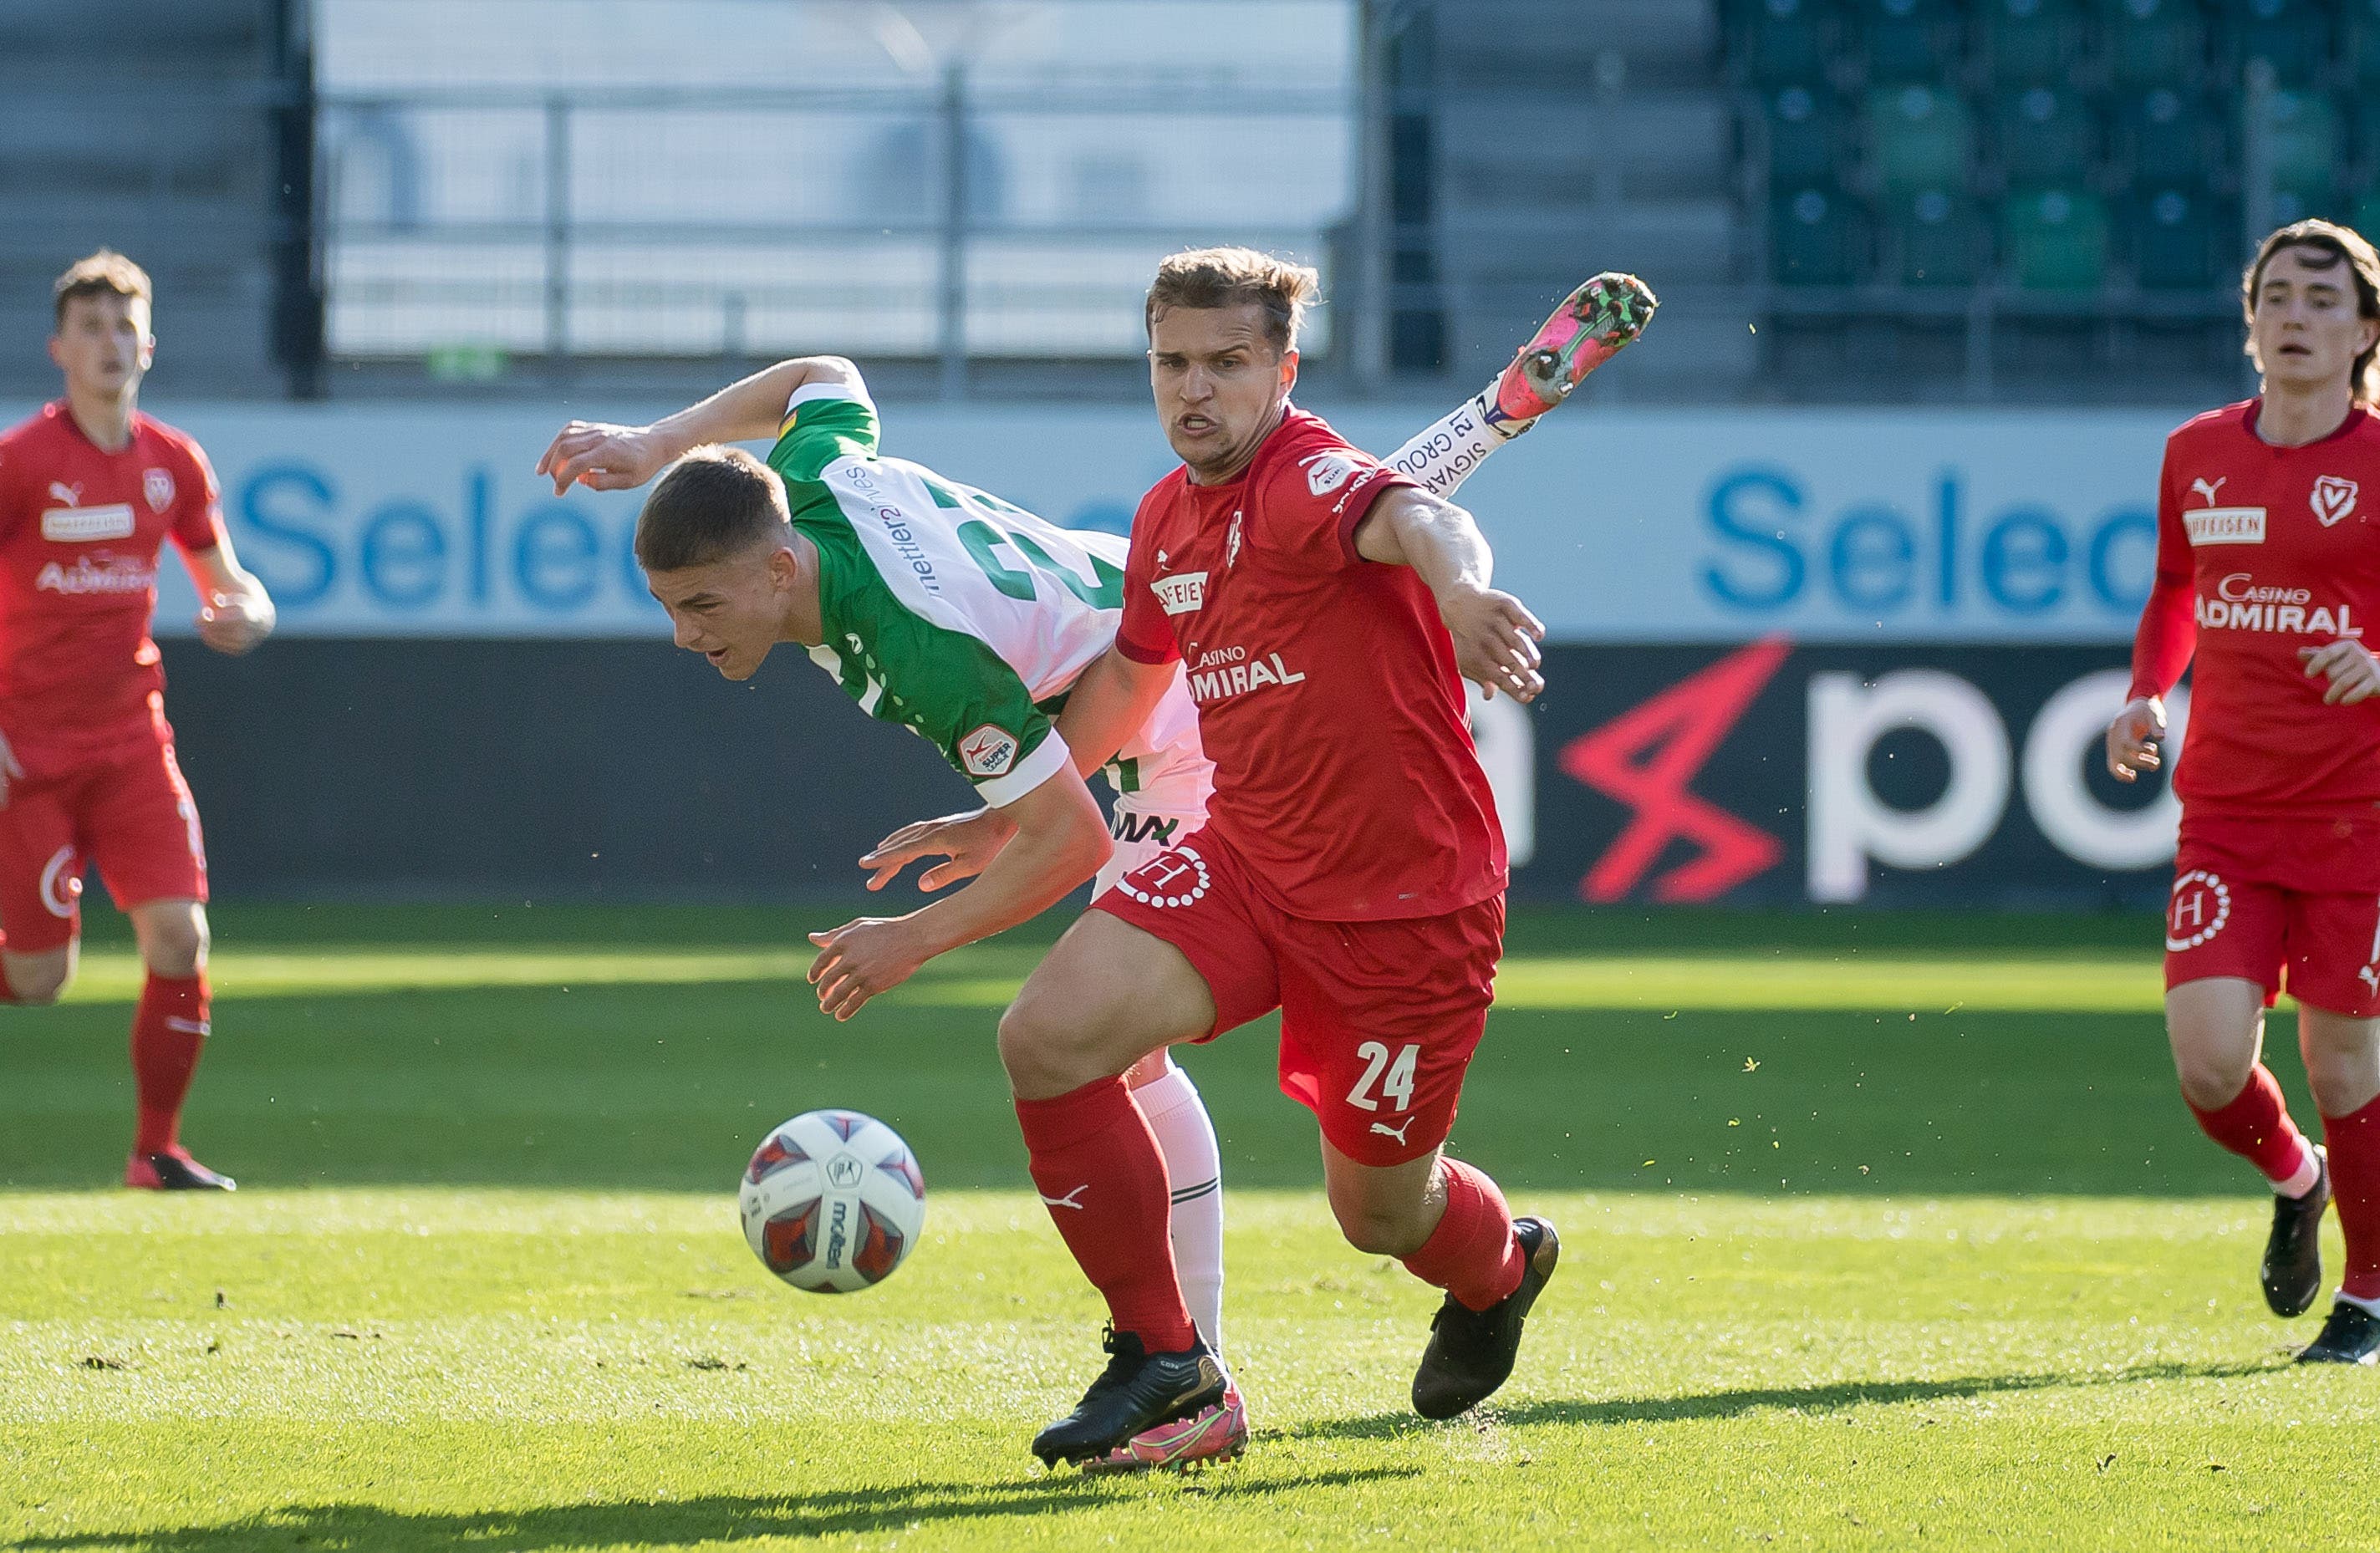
89 493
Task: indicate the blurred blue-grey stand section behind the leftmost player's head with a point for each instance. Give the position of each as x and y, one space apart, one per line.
163 130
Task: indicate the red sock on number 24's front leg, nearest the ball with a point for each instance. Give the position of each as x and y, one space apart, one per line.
1106 1183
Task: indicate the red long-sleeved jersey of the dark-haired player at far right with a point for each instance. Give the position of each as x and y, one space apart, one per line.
2265 551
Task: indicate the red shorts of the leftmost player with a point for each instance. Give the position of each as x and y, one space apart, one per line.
132 817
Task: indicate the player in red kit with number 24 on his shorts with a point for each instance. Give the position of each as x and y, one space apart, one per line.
1351 869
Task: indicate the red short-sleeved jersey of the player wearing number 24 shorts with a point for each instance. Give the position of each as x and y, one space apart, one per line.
1324 684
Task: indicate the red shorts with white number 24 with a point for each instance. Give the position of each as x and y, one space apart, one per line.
1377 1019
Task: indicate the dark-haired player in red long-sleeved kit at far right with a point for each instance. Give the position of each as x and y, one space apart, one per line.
2269 574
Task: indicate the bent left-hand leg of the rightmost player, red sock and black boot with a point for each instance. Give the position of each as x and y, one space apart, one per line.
2217 1033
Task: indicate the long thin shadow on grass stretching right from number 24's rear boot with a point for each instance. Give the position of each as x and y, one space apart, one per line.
1831 1397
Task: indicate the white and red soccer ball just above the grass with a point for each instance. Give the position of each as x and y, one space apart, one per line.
832 1202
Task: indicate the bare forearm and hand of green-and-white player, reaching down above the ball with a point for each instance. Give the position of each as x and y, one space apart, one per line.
1060 843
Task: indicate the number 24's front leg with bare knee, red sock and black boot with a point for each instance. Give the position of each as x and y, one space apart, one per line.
1103 1000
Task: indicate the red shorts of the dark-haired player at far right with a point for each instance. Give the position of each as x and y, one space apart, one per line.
2279 903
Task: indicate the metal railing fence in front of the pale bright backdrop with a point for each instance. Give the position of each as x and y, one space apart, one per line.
944 222
